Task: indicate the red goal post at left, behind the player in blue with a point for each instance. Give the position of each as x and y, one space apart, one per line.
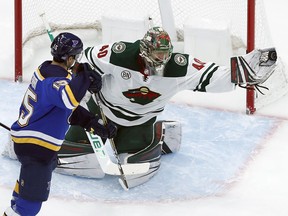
18 40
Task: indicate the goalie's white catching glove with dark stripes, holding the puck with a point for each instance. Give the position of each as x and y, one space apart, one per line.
253 68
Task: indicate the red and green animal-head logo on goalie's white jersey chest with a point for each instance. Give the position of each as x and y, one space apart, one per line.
141 95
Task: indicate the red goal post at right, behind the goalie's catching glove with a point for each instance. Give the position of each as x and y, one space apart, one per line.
250 103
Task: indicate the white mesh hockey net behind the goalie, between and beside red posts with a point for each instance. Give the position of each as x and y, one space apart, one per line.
66 15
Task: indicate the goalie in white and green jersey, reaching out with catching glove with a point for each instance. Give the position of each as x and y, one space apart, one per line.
138 81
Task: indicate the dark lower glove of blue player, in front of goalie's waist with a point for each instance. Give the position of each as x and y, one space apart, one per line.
96 126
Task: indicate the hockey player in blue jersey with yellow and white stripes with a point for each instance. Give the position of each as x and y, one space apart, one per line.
50 104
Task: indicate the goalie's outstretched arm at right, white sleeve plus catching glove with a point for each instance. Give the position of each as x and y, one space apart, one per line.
253 68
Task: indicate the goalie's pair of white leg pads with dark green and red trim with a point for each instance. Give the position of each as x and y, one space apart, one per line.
79 159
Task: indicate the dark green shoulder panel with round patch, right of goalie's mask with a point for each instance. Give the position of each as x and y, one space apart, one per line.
177 65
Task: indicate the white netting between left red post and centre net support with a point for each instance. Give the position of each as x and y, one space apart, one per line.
77 15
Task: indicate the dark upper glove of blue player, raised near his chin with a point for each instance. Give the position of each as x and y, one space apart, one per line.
94 77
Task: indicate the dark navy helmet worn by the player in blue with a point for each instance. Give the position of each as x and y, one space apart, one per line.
65 45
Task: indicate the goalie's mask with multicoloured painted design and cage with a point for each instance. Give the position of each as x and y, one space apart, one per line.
156 50
